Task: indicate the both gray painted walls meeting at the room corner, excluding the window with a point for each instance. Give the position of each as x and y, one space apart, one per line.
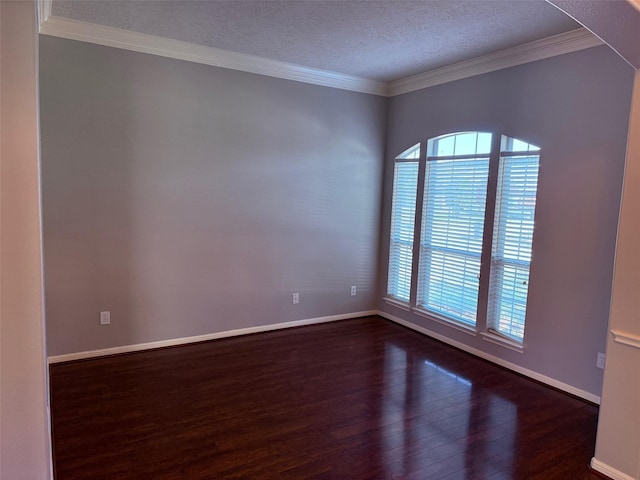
190 200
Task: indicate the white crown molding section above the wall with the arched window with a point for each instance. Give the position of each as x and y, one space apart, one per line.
568 42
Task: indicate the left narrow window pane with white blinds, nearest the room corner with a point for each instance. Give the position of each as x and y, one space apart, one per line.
403 213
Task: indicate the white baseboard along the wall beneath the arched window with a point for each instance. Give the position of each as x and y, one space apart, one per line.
499 361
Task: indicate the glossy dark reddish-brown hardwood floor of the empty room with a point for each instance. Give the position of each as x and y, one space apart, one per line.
356 399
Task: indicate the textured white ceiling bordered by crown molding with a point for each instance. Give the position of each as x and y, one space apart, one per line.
377 39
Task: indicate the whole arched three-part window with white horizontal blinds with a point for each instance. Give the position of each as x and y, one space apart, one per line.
450 233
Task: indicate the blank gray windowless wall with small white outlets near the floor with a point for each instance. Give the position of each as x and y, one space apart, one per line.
190 200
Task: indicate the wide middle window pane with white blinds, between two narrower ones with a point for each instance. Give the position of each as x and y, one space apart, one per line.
454 200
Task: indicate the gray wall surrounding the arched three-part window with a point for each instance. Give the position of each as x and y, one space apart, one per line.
576 107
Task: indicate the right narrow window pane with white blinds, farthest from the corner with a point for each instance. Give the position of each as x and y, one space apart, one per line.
512 238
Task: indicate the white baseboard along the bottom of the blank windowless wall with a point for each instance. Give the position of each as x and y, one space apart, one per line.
201 338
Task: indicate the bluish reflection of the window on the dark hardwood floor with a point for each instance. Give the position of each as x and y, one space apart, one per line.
441 423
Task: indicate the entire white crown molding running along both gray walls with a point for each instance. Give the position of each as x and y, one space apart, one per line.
139 42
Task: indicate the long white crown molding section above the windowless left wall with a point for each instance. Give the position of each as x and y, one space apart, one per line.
164 47
